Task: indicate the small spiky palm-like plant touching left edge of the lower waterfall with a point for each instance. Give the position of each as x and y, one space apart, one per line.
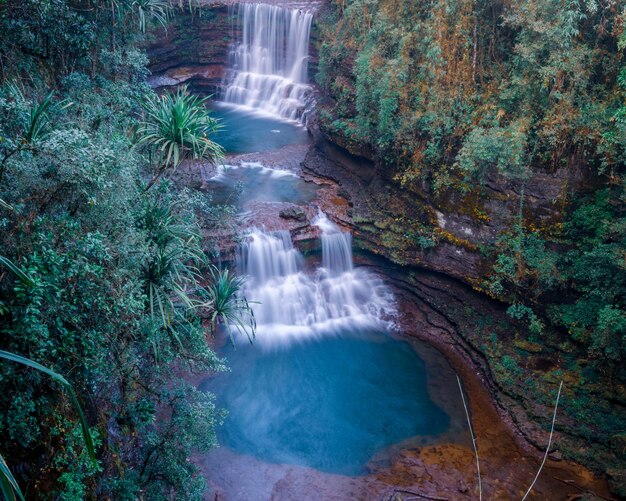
225 303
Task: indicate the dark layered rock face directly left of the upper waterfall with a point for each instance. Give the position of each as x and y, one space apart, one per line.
193 50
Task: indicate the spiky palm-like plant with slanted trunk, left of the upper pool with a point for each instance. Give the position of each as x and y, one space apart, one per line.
177 126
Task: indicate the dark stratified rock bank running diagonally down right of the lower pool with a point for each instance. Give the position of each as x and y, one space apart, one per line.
519 377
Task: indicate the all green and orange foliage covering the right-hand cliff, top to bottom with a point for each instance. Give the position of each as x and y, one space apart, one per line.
466 104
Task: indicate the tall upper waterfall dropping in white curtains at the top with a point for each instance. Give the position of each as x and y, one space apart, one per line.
269 63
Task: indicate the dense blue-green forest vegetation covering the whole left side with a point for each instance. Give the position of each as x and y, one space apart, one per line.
104 276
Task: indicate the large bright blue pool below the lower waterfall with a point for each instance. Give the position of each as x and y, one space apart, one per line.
329 403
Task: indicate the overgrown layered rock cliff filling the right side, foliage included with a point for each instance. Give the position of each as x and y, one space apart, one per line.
460 153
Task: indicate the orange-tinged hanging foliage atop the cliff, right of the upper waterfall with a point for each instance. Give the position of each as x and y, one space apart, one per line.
467 88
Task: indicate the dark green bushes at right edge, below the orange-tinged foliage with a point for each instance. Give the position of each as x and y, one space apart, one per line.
579 288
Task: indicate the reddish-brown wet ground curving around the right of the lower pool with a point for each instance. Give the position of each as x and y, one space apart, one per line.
508 463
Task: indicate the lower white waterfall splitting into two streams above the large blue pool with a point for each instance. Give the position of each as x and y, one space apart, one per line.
294 304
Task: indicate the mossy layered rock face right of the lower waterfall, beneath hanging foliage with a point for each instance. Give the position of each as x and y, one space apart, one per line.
446 232
